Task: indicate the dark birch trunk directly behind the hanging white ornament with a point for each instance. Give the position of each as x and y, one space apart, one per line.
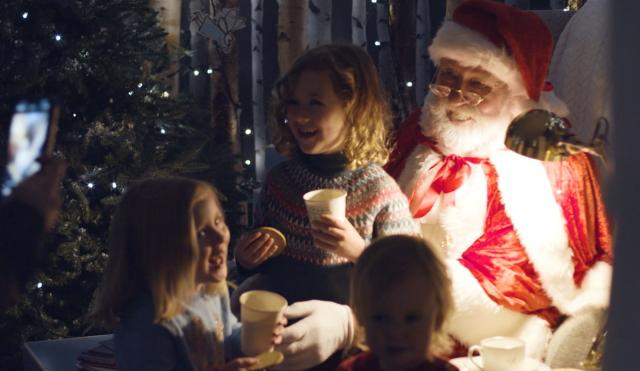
224 90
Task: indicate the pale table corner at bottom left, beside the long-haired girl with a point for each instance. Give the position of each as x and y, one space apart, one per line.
58 355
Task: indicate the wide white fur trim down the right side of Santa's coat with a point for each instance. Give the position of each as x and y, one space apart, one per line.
538 220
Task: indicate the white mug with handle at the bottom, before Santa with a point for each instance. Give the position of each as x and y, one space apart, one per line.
499 353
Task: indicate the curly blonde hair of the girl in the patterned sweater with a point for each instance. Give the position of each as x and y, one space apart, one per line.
356 83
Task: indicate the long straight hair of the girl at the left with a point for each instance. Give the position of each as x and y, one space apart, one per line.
153 247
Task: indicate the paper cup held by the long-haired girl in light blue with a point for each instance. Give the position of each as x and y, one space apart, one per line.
260 311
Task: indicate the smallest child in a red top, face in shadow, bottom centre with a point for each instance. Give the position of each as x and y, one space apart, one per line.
400 294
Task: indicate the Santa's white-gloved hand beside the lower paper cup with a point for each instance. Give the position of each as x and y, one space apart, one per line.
324 327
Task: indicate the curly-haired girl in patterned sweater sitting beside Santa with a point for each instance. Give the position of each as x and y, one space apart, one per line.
331 120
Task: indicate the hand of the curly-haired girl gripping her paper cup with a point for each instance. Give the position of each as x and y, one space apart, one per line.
337 235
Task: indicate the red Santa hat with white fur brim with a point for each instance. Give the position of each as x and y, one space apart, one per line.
513 45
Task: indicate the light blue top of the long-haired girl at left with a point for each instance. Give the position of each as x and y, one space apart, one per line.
190 341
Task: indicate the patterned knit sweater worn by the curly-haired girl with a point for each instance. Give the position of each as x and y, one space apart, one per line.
375 207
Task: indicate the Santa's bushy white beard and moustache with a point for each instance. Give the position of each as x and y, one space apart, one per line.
480 137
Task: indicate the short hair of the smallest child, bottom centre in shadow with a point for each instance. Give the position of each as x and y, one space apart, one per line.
385 263
